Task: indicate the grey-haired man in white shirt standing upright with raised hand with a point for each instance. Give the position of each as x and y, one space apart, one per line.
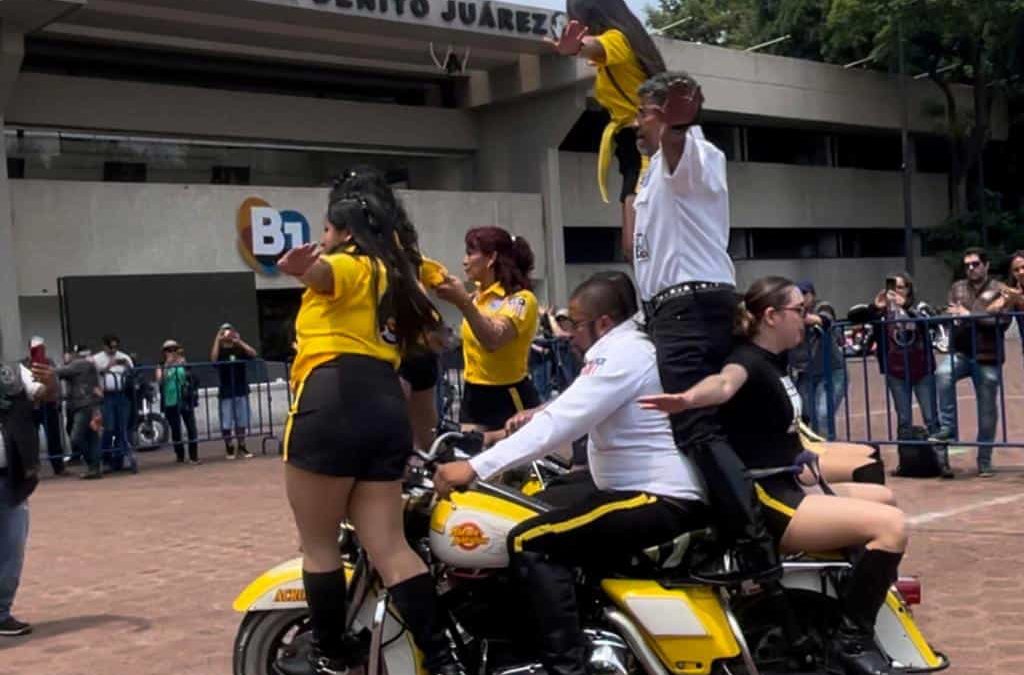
688 283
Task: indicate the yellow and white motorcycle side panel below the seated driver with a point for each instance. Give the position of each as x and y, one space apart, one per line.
687 627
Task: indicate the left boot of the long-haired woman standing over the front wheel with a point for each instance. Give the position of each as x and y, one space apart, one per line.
326 597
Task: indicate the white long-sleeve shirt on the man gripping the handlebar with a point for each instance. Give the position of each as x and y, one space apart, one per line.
630 449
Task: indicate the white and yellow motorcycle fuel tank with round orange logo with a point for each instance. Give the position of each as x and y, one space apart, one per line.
470 530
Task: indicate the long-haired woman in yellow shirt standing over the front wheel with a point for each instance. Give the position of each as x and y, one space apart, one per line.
349 434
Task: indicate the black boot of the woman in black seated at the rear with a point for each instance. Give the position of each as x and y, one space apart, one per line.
864 597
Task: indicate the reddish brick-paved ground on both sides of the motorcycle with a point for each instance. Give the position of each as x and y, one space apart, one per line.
138 574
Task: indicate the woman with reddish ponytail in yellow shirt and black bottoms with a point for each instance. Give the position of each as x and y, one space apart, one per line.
500 323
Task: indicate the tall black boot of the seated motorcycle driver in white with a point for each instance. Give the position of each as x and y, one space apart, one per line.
550 593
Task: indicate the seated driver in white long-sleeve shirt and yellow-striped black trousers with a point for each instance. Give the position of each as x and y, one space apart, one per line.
650 493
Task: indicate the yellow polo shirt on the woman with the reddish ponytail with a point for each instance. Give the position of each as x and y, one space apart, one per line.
507 365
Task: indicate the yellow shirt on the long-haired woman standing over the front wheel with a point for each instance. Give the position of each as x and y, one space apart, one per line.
344 322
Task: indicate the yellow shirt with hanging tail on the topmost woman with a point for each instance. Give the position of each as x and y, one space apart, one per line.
620 63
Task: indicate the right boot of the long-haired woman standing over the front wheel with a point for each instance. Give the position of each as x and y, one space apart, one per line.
417 603
